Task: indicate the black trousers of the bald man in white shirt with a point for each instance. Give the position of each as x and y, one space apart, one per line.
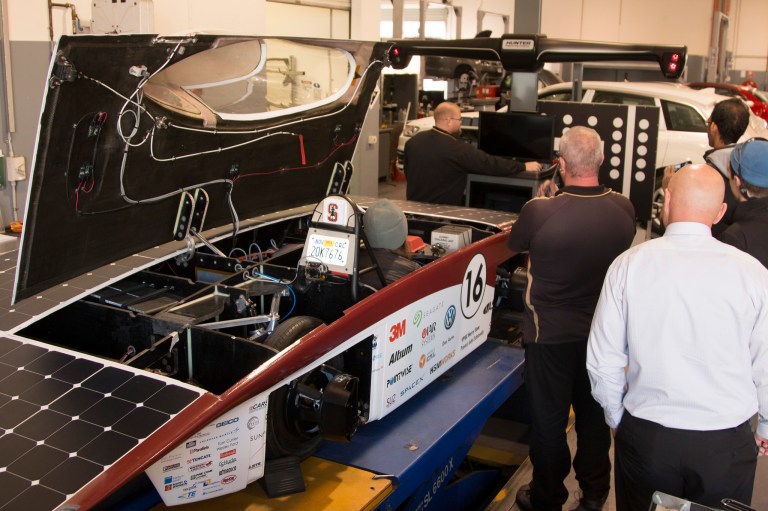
701 466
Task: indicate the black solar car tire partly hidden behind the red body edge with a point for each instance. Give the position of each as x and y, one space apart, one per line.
287 434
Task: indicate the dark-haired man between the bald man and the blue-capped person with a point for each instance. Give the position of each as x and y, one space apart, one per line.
728 122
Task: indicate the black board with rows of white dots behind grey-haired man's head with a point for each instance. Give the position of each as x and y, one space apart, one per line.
629 135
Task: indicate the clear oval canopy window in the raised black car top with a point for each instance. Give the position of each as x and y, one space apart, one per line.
253 79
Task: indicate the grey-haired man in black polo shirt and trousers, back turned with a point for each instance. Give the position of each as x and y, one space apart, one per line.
571 240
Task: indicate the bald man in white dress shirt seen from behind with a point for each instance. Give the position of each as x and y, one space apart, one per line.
678 356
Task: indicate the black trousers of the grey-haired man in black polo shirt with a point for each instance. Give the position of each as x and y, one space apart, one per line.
556 378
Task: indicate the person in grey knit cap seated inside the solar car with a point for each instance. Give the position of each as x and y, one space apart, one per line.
386 229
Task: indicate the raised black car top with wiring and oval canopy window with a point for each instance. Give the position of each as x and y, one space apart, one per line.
133 126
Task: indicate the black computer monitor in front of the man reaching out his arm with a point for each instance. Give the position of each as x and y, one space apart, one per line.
522 135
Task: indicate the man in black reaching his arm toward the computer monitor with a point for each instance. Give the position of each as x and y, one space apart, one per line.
437 161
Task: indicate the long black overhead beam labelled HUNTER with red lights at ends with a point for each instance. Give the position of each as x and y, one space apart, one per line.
529 52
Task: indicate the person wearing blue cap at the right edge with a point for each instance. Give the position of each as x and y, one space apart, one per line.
749 184
